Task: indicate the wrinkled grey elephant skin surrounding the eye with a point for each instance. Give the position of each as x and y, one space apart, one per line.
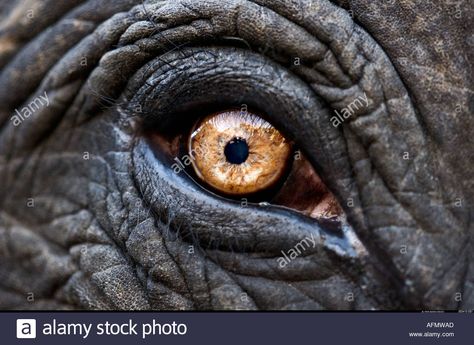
90 218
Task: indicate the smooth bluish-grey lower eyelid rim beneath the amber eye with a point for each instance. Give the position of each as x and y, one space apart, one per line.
243 227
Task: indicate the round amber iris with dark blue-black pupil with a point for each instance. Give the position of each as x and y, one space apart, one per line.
238 153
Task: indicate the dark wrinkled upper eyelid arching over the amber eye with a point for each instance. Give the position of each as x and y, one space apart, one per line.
224 75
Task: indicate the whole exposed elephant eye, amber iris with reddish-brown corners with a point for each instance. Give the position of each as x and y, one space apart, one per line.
241 156
